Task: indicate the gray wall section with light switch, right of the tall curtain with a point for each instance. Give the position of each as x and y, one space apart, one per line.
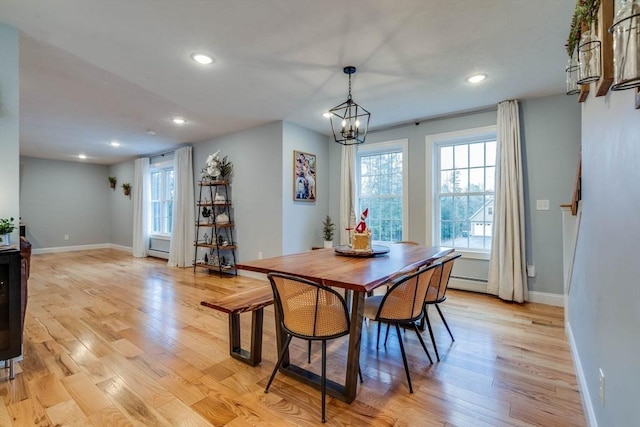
551 152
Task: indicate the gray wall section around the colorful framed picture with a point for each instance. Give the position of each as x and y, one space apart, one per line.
302 221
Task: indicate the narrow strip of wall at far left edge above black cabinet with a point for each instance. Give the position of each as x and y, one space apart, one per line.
9 125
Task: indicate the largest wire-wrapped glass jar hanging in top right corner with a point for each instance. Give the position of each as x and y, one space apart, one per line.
626 45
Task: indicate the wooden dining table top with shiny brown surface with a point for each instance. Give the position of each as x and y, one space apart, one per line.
354 273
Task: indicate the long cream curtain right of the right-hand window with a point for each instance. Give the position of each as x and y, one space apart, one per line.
507 270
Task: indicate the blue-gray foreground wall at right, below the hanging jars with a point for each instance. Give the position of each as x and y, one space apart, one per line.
604 299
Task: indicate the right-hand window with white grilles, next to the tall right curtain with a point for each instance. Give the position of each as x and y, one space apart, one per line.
464 189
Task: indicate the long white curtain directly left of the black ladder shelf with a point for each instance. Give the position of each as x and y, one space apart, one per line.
181 249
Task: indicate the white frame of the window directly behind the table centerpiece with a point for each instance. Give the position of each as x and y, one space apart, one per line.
394 146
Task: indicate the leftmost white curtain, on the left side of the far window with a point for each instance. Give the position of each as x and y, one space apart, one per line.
141 191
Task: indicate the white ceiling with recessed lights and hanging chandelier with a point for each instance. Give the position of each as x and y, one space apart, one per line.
93 70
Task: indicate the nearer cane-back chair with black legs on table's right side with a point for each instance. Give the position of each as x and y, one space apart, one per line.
403 304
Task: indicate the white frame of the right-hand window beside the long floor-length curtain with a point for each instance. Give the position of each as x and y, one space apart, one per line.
433 143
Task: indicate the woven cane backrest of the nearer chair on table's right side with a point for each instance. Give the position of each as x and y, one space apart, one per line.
404 301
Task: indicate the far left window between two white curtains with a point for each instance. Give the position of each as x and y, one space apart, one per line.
162 188
